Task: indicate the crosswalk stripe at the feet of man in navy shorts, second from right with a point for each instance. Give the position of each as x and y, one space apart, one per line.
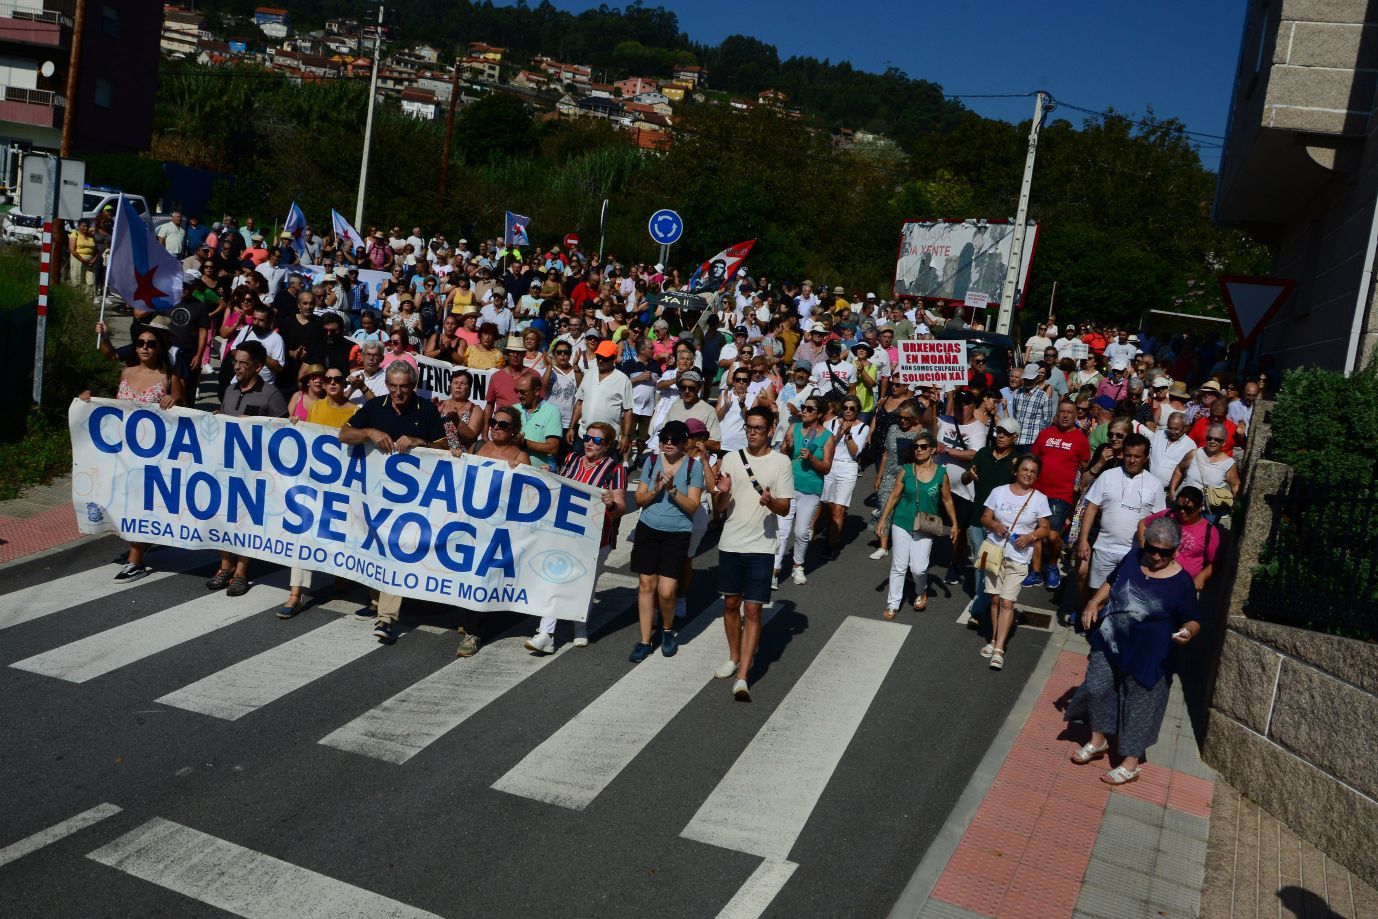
581 760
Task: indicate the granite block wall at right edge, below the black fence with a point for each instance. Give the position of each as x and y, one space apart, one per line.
1293 716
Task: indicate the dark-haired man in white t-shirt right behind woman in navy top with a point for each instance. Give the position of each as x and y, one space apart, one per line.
1120 498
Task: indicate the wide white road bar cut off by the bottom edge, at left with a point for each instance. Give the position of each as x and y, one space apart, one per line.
240 881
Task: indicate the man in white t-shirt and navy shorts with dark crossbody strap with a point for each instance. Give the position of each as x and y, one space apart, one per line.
753 494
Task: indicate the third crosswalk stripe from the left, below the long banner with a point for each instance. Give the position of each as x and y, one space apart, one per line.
264 679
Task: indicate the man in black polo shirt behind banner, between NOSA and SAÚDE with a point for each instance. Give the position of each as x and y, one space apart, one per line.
395 424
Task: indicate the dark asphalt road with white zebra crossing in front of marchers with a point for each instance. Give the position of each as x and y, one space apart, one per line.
621 790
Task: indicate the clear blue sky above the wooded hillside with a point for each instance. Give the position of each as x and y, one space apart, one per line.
1173 56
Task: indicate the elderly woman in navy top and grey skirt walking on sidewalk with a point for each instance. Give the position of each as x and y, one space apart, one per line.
1135 623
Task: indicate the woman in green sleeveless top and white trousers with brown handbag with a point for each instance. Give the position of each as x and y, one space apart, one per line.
920 488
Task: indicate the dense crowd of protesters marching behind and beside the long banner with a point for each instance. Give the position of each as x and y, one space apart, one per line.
1085 454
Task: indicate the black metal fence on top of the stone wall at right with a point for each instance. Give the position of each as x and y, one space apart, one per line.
1319 570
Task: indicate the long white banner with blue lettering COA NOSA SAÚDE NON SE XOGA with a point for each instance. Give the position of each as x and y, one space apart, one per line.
461 531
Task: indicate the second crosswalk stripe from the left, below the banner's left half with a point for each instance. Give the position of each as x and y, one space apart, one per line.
134 641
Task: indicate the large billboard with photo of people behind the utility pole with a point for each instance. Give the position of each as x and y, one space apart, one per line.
953 260
